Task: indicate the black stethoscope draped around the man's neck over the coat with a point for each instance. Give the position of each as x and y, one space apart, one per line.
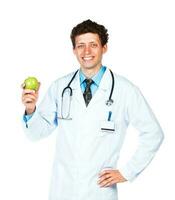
109 102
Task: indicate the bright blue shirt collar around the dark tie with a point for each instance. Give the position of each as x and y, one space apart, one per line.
96 78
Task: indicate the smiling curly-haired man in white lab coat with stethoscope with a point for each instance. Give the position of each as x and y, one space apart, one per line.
91 109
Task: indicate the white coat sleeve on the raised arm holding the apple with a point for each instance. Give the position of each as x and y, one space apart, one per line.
44 119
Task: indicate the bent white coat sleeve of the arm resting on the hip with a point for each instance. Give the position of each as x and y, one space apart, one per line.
151 135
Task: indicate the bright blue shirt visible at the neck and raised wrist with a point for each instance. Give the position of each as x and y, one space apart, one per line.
96 78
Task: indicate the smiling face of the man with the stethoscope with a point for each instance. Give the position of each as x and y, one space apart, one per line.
89 51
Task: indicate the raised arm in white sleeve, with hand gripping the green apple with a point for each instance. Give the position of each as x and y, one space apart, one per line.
43 120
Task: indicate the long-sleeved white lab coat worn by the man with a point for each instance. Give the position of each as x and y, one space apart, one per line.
82 149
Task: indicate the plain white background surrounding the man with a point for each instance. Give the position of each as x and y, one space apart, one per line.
34 40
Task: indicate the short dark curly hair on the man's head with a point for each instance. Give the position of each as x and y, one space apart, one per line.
89 26
